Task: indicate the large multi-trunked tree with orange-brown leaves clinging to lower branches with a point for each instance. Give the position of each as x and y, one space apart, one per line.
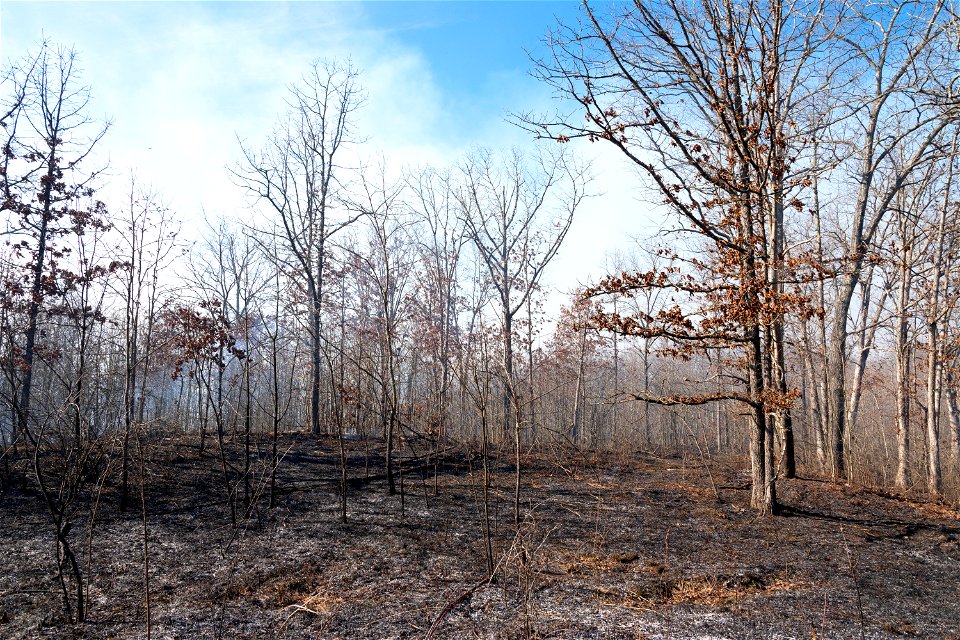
704 98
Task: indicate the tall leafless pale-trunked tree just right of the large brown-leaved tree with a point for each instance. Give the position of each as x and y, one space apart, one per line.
898 103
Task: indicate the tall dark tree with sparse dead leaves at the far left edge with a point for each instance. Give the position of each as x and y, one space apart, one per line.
49 137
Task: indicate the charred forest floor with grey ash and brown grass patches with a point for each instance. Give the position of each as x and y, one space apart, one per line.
627 547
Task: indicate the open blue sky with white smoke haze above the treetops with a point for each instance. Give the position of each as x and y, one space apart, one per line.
182 82
